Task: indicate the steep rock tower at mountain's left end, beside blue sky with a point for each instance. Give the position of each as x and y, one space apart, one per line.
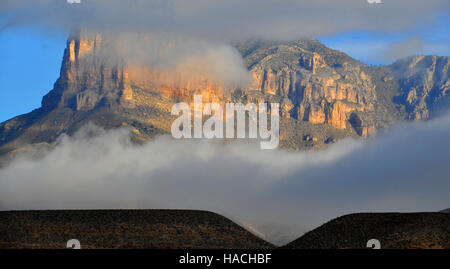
84 79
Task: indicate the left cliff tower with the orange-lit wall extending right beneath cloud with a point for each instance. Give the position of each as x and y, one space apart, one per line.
91 75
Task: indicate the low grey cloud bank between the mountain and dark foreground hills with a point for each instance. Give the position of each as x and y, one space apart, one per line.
280 194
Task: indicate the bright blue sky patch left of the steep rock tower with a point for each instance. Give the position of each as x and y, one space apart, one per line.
29 65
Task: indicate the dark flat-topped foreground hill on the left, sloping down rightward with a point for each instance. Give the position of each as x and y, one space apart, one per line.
123 229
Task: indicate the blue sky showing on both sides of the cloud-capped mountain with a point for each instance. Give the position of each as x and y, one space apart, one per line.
31 59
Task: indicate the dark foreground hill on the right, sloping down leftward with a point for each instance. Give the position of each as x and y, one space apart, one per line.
393 230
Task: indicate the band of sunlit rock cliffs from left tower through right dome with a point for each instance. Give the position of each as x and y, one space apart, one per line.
312 88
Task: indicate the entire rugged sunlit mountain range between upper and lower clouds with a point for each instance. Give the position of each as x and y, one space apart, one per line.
325 95
